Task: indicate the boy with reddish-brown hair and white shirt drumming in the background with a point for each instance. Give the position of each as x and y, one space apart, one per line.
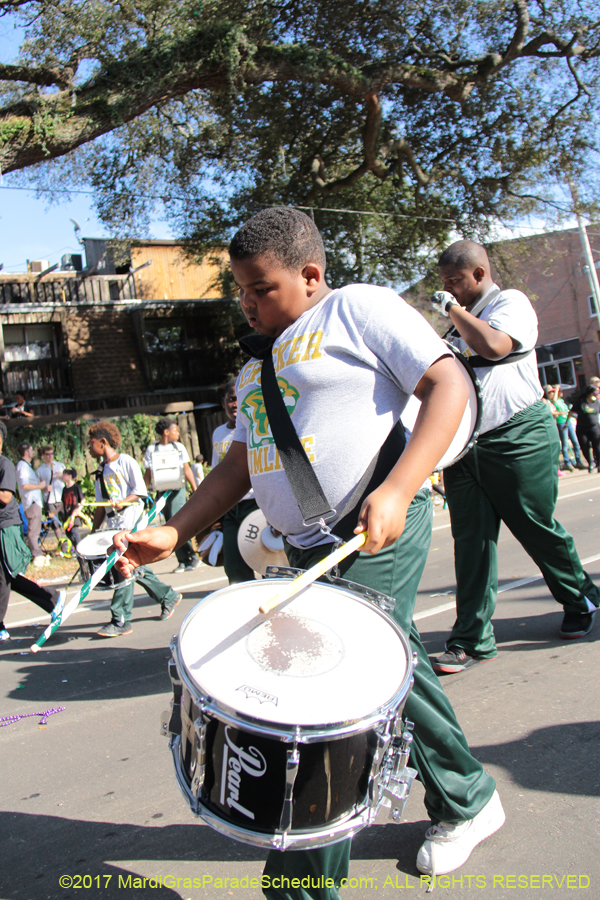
119 480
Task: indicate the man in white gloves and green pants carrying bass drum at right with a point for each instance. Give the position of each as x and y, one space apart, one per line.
510 475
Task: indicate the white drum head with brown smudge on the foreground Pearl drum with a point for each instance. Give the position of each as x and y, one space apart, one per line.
326 656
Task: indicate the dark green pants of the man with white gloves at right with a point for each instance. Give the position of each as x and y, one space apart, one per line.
510 475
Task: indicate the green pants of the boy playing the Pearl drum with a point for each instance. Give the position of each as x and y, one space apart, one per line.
456 786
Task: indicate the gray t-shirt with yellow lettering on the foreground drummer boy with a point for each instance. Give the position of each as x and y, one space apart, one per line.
346 368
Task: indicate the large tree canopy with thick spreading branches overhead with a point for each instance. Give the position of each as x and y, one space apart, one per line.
443 117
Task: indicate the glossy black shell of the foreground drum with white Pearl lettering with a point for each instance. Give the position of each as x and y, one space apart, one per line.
332 778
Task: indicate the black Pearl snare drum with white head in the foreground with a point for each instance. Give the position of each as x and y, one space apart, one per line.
286 729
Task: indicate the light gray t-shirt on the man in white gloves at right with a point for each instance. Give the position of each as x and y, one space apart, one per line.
514 386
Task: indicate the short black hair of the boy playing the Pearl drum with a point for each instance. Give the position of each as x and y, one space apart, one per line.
286 234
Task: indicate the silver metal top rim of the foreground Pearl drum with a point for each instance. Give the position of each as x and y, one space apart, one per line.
289 732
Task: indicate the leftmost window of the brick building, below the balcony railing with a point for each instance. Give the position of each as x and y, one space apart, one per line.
33 361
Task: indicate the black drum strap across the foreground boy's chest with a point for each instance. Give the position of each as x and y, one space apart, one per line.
312 502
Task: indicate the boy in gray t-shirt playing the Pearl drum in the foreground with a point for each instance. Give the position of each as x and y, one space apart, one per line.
350 358
